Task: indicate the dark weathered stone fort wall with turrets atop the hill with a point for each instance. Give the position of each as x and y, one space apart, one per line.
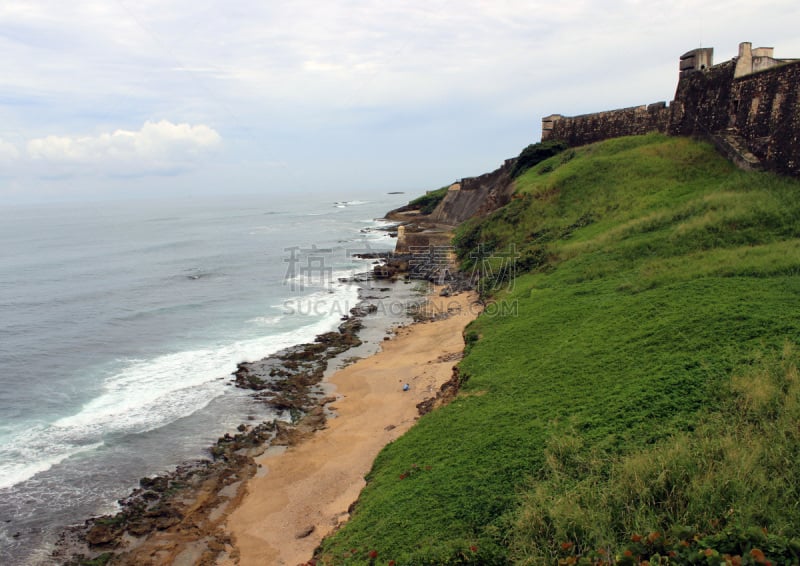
749 105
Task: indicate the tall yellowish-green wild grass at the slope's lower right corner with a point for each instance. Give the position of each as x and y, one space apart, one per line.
730 477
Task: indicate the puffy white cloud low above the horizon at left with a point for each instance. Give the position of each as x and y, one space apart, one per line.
158 147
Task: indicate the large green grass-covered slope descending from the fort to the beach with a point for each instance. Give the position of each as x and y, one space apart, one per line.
634 388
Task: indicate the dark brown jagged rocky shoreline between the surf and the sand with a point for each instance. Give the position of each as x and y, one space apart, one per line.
179 516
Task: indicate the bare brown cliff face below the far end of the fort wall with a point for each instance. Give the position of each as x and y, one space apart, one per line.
475 196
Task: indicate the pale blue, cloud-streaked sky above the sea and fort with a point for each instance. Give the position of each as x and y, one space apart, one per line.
119 99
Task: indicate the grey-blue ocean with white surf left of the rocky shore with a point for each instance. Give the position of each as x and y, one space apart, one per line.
120 324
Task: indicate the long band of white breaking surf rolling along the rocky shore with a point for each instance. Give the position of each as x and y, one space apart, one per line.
149 394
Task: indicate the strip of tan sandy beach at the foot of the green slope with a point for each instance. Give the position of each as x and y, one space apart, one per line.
299 496
